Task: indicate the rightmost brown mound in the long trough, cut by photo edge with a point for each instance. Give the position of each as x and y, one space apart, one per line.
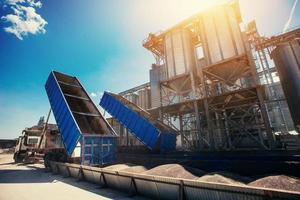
278 182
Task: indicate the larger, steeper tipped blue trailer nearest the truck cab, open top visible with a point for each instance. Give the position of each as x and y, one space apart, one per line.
84 131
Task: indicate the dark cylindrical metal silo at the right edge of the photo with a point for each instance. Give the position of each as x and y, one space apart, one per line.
287 59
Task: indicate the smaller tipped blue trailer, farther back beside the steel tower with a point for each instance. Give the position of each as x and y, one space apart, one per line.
154 134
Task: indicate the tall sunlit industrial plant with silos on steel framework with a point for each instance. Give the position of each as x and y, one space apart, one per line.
220 87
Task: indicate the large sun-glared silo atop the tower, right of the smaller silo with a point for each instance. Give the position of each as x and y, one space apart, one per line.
222 32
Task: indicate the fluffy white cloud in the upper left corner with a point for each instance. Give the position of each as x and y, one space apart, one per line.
24 19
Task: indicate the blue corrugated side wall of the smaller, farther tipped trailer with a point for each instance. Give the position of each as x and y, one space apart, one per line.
139 126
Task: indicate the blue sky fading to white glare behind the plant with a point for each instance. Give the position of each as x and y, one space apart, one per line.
98 41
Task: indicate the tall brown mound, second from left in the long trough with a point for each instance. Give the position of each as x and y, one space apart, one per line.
174 171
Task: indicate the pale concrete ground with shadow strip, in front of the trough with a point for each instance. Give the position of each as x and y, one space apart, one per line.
31 182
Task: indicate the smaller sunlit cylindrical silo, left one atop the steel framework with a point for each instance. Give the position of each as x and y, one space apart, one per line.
179 52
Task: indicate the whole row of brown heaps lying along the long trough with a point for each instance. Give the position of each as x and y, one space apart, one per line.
281 182
